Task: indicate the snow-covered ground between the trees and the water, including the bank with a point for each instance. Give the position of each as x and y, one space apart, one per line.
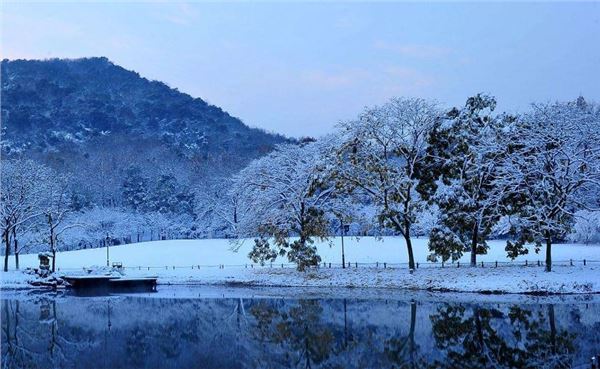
172 262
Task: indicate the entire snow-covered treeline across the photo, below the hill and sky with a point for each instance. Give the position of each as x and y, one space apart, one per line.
408 167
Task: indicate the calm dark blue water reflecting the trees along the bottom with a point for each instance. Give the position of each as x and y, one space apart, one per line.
196 328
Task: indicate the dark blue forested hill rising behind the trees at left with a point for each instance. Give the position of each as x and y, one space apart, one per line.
92 118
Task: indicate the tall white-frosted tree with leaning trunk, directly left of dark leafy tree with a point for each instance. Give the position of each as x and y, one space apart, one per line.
381 157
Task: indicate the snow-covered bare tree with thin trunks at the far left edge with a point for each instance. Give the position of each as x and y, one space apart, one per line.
21 196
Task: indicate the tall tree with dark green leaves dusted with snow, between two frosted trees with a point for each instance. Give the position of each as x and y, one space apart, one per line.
464 152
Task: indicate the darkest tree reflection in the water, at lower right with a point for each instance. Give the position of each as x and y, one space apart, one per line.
487 338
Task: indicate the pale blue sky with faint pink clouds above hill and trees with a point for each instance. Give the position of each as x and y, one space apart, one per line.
299 68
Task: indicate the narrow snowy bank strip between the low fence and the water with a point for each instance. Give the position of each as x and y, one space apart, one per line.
507 279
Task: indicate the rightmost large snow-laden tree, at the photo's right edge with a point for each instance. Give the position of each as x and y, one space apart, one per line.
551 171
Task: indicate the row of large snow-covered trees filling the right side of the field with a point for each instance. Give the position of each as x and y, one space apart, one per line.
477 170
